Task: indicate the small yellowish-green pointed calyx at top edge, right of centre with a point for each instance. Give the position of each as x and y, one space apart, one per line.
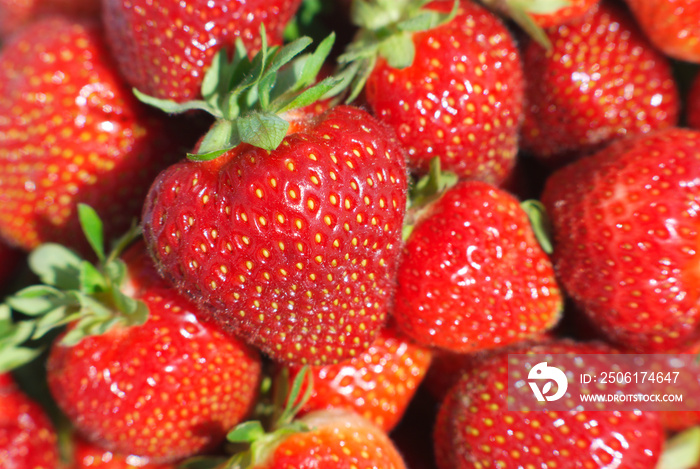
521 12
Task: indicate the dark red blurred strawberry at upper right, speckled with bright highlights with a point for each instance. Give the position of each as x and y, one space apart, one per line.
600 81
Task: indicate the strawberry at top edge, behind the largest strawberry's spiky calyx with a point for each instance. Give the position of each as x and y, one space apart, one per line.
164 48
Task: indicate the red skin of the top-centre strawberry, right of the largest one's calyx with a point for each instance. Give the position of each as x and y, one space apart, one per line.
460 100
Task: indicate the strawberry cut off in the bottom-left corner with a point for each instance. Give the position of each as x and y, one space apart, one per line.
27 438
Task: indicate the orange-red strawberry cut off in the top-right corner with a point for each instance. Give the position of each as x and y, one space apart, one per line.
672 25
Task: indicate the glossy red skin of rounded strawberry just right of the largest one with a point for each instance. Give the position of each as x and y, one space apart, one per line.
473 275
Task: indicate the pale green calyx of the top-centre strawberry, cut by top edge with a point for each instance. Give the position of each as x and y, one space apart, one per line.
386 30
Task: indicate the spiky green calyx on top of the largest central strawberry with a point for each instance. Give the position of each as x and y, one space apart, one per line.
249 97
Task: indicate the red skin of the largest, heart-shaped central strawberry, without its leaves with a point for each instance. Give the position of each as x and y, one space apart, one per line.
295 250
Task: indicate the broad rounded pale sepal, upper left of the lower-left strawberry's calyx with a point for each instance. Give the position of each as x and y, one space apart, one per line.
56 265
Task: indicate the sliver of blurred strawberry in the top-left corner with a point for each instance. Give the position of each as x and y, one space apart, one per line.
15 14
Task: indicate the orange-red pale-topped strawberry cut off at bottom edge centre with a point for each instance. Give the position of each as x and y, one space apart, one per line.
337 440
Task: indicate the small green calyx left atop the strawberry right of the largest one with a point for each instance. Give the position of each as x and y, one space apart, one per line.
424 192
